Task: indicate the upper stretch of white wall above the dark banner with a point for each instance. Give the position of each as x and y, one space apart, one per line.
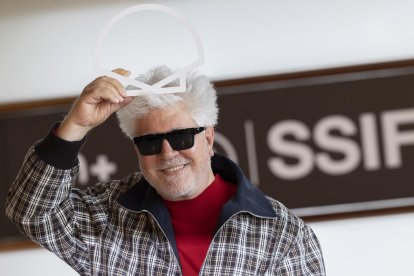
46 50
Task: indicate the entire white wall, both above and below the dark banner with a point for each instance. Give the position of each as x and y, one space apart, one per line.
46 52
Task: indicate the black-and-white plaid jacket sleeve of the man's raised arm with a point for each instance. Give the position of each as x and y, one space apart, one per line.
43 204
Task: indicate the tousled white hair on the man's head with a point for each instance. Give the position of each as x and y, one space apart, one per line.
199 99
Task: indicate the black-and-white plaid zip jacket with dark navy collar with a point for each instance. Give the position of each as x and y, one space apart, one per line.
123 228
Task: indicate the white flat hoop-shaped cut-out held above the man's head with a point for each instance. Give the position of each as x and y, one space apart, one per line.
158 87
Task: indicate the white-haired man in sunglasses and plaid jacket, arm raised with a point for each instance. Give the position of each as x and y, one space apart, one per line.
189 211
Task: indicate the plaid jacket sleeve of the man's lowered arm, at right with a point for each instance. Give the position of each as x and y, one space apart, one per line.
305 257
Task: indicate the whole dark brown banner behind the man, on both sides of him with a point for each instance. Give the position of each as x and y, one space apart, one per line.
320 145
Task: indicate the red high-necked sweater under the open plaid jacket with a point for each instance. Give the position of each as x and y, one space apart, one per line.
194 222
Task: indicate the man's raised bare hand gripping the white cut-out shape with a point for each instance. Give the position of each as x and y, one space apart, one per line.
99 99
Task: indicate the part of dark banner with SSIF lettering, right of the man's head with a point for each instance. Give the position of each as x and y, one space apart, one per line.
325 144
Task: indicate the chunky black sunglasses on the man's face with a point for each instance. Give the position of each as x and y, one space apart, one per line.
180 139
